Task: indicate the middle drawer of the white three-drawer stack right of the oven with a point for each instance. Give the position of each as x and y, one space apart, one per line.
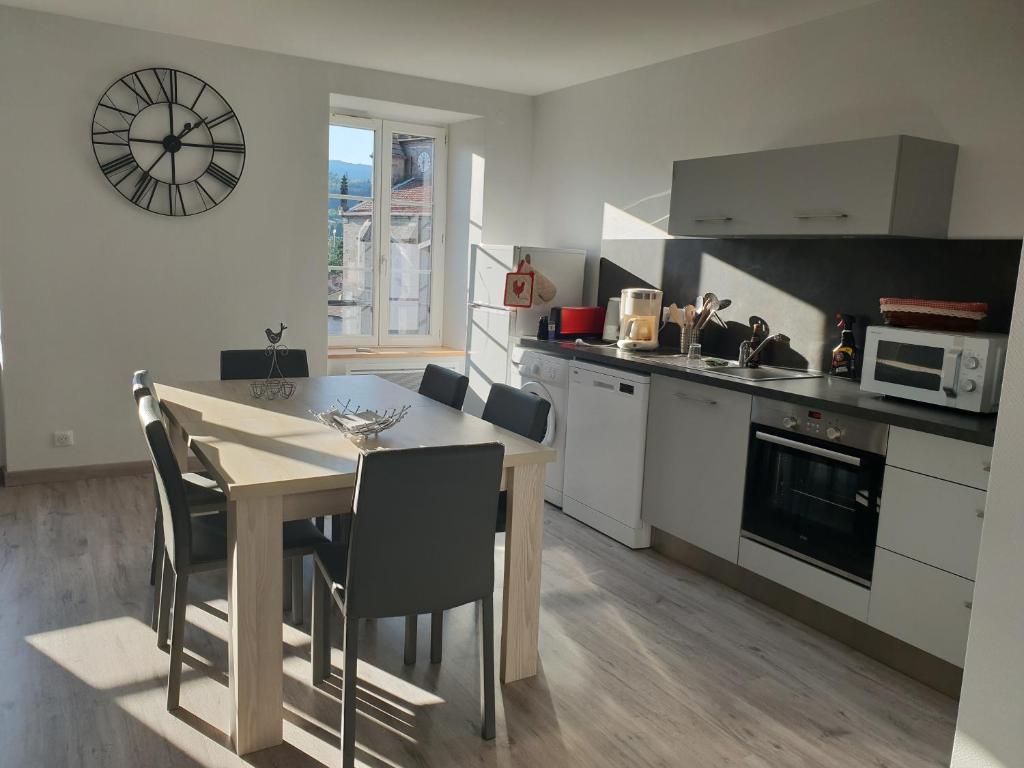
932 521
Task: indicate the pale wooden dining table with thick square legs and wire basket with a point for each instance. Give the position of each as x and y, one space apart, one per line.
276 462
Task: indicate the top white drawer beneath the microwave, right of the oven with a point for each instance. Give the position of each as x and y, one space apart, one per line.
953 460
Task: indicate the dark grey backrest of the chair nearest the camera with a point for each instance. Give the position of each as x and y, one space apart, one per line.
423 530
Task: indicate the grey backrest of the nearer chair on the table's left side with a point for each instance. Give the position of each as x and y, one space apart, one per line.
170 487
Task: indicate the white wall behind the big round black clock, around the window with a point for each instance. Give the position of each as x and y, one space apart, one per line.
94 288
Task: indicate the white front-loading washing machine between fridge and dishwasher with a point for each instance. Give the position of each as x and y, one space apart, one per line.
548 377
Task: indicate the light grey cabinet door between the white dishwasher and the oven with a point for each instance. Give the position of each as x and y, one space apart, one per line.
696 462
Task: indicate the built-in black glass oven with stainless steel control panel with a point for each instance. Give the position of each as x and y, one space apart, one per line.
815 486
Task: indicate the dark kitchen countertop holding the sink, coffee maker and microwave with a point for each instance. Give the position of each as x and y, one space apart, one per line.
827 394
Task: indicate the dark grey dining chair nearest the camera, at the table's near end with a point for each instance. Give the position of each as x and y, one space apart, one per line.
421 540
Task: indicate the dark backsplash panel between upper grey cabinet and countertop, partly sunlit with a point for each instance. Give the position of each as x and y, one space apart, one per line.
798 286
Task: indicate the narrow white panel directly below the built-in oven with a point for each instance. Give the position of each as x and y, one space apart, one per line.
813 582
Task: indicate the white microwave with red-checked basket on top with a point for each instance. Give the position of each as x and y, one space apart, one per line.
957 370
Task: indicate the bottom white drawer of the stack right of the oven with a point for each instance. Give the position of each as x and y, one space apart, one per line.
921 606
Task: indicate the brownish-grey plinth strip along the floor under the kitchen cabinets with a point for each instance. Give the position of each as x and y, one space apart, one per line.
933 672
